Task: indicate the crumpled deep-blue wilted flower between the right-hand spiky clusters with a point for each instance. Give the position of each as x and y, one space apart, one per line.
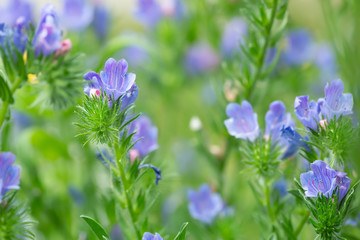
295 141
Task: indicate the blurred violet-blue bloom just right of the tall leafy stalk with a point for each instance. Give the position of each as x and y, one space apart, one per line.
299 48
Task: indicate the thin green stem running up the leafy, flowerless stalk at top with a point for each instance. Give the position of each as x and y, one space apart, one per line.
264 50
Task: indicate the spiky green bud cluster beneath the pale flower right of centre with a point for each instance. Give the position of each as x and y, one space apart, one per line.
263 156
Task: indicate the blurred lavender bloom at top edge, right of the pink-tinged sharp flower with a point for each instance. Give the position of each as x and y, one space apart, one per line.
77 14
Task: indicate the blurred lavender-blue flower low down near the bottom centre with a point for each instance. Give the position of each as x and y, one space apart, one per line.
205 205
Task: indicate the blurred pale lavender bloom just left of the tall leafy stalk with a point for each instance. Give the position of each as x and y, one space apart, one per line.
233 36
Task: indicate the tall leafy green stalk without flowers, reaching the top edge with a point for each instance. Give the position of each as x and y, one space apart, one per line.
267 21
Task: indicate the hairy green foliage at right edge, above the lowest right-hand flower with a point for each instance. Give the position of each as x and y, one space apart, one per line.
336 139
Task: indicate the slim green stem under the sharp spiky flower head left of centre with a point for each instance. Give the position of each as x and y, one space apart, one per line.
125 186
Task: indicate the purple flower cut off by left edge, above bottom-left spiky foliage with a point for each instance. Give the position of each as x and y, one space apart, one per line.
9 174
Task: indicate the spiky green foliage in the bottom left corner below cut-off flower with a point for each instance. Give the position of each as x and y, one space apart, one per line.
14 220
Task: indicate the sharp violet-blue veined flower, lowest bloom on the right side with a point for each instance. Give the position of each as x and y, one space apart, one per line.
323 179
